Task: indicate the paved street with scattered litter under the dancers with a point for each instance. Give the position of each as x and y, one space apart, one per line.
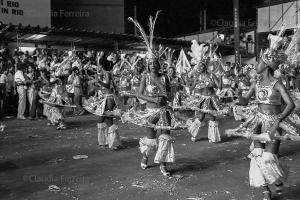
34 156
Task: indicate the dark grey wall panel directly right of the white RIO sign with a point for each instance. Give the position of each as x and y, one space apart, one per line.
103 15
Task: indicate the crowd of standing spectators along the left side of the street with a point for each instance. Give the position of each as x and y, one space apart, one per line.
23 74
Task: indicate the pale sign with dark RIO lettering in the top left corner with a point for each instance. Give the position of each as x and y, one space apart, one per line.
33 12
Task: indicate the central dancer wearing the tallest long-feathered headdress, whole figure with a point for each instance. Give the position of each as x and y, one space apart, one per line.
154 89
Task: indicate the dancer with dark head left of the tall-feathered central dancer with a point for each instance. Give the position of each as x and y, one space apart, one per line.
104 105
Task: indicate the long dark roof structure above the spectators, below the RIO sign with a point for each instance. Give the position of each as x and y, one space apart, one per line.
86 38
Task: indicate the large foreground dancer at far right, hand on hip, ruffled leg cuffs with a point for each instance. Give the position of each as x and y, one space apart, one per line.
267 121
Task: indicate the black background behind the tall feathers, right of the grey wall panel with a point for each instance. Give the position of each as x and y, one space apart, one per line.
183 16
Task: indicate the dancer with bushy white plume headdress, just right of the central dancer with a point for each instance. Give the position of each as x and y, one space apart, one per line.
203 97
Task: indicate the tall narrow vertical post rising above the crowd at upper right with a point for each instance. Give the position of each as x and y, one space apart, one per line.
236 31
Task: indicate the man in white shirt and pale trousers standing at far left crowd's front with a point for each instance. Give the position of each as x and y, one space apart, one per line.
21 89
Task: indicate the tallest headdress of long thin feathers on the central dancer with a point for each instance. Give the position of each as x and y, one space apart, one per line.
147 40
